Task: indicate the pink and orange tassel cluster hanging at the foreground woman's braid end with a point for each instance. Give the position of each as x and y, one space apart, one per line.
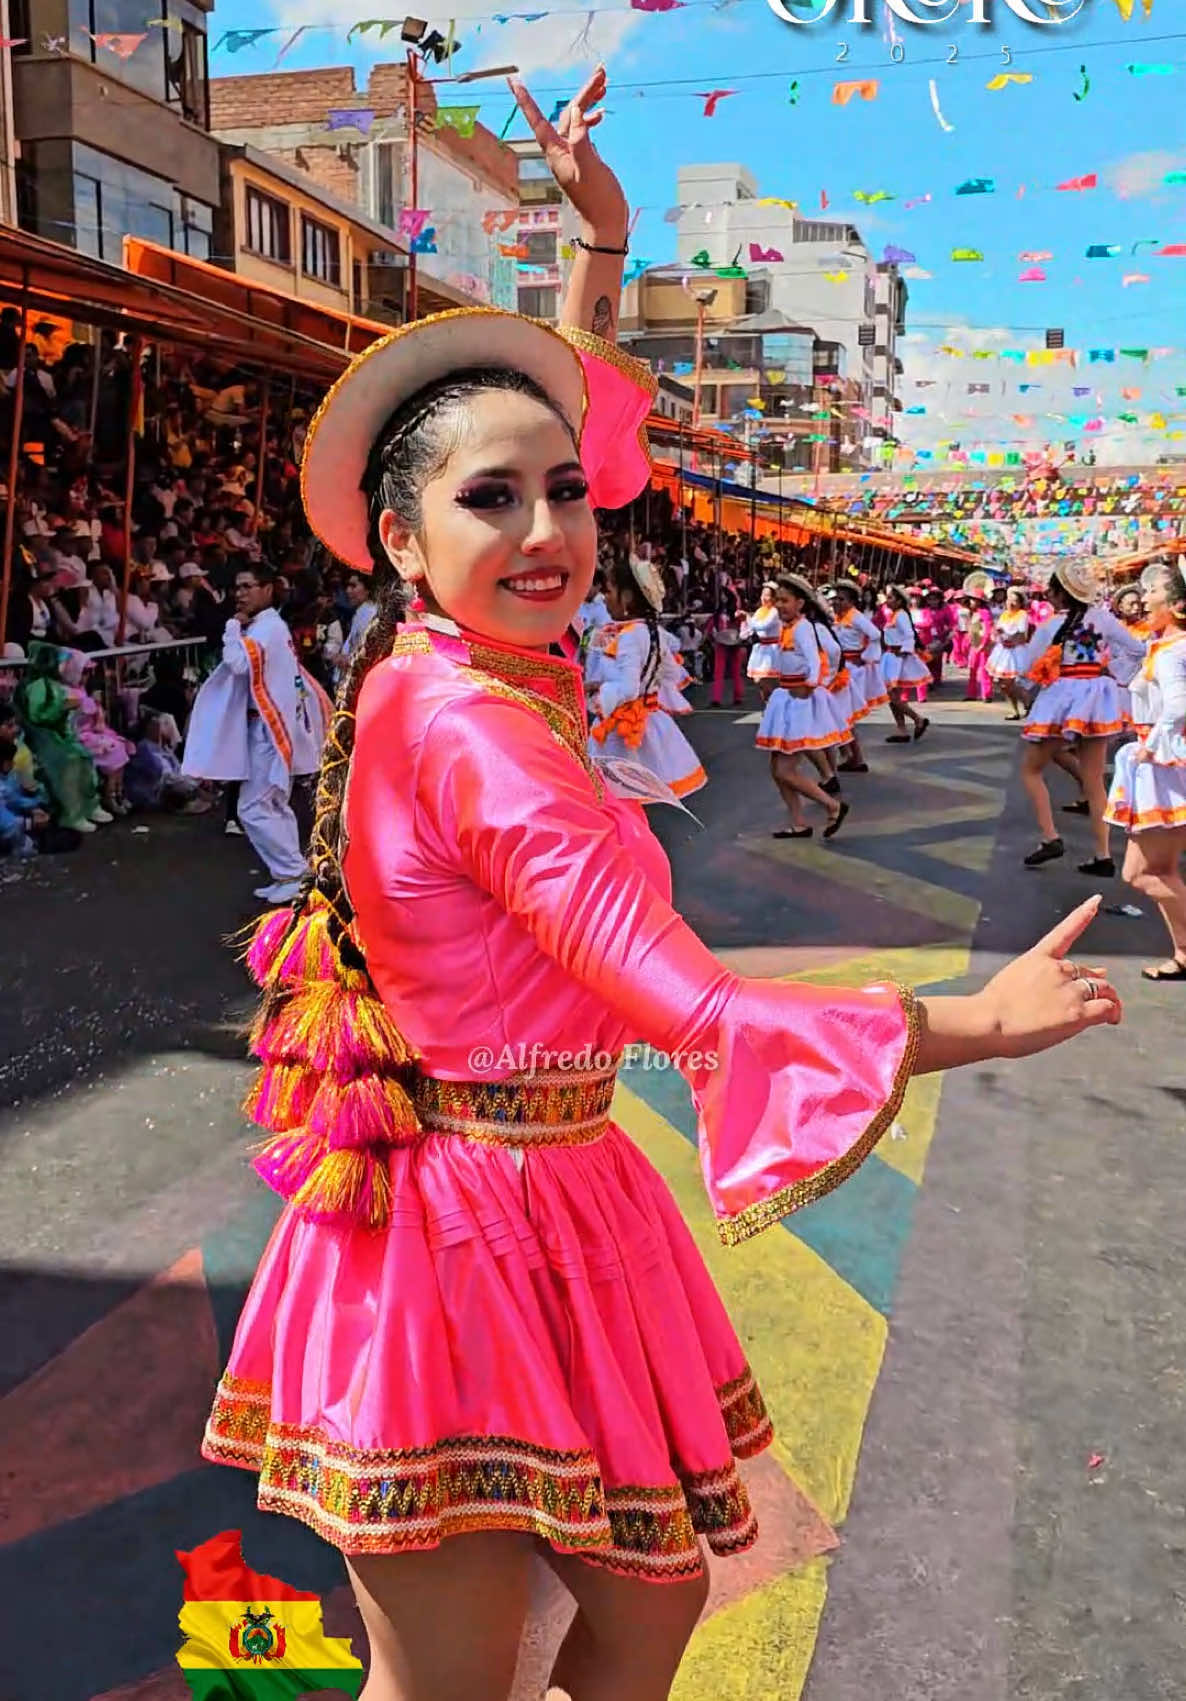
331 1089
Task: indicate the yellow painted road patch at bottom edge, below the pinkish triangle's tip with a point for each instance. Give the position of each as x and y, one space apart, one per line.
761 1647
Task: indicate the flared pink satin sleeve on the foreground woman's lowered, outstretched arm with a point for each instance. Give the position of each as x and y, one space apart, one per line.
794 1084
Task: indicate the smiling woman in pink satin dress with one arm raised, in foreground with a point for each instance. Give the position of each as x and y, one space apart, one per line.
482 1333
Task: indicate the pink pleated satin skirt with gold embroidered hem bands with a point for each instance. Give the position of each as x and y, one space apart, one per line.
533 1345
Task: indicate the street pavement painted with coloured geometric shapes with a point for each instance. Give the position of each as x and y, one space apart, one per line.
974 1351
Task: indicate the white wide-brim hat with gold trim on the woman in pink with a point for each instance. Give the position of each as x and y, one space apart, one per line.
362 402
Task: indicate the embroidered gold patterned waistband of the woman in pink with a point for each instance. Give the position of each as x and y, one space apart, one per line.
561 1108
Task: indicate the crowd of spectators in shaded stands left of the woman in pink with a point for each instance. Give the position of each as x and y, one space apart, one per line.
88 736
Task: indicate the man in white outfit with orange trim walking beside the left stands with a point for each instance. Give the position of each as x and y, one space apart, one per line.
261 719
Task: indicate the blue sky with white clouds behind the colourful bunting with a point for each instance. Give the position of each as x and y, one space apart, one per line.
1129 130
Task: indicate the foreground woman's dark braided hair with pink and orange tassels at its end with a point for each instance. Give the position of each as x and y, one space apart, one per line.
338 1086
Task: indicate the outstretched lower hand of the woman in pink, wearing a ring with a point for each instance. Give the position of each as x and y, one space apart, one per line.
1042 999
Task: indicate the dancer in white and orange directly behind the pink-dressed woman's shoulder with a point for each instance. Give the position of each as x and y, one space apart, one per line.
634 674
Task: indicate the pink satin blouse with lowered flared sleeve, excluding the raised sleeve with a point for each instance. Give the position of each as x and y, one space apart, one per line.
506 899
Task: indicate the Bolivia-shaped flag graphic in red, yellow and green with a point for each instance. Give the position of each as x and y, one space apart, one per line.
251 1637
